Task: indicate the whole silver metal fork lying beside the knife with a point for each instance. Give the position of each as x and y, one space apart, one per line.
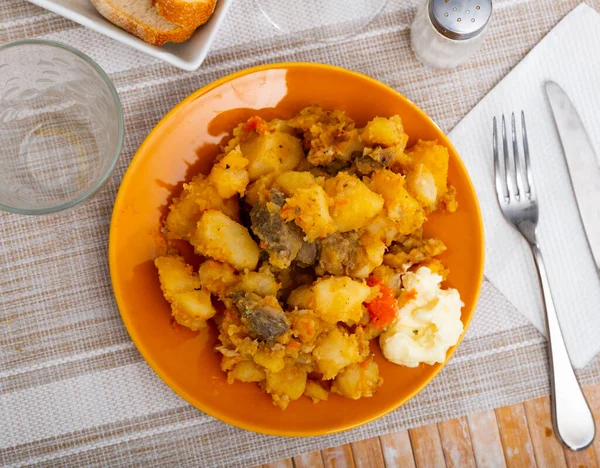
518 201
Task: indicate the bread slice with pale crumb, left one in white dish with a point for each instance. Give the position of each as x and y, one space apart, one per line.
139 17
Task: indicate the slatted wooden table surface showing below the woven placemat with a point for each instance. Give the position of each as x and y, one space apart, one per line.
513 436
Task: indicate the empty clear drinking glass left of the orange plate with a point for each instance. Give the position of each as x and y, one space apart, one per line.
61 127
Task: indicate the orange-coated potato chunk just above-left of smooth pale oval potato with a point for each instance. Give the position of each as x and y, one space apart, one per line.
197 196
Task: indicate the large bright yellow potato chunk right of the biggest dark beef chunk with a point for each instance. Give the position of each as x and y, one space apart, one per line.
354 205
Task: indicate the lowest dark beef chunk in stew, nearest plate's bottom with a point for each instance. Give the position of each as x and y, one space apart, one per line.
263 316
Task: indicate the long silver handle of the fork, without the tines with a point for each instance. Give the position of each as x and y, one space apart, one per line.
573 419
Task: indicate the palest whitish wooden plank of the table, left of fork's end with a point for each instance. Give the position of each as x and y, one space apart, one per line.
485 438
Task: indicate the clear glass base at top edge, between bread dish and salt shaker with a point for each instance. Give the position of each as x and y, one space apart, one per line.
321 20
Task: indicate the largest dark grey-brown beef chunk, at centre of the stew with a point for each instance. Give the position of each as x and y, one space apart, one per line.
281 240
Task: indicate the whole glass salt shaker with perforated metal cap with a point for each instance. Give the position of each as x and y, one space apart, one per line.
446 33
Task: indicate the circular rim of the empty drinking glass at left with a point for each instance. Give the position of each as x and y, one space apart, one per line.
103 178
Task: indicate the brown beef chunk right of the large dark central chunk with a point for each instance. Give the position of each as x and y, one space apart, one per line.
337 252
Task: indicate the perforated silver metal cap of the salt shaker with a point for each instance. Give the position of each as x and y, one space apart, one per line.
460 19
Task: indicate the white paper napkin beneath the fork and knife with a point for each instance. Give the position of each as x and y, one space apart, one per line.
569 55
